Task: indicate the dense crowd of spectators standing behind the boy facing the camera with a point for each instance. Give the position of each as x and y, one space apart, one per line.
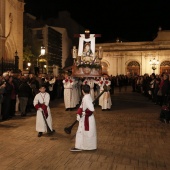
17 92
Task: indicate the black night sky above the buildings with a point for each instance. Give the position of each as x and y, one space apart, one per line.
129 20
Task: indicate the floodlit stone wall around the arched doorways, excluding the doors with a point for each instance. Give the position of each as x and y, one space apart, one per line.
117 56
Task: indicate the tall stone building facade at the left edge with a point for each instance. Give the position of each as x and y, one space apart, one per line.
11 33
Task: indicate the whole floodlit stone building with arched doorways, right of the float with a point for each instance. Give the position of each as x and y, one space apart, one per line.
133 58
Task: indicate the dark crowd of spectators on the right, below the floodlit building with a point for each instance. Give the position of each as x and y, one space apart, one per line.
155 87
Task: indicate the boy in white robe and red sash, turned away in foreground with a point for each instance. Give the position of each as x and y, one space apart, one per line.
86 136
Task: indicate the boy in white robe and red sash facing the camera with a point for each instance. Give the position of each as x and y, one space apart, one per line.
41 103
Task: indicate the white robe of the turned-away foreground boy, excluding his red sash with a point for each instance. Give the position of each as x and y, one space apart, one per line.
86 140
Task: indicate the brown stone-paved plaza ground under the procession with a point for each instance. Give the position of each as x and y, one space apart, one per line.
130 137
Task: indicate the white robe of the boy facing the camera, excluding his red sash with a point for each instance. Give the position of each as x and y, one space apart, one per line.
40 123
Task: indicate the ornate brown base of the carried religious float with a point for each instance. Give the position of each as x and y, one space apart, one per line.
86 72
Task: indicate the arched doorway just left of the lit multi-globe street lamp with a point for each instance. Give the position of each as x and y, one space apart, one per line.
133 68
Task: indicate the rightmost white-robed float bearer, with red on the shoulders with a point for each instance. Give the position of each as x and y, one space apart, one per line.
105 99
